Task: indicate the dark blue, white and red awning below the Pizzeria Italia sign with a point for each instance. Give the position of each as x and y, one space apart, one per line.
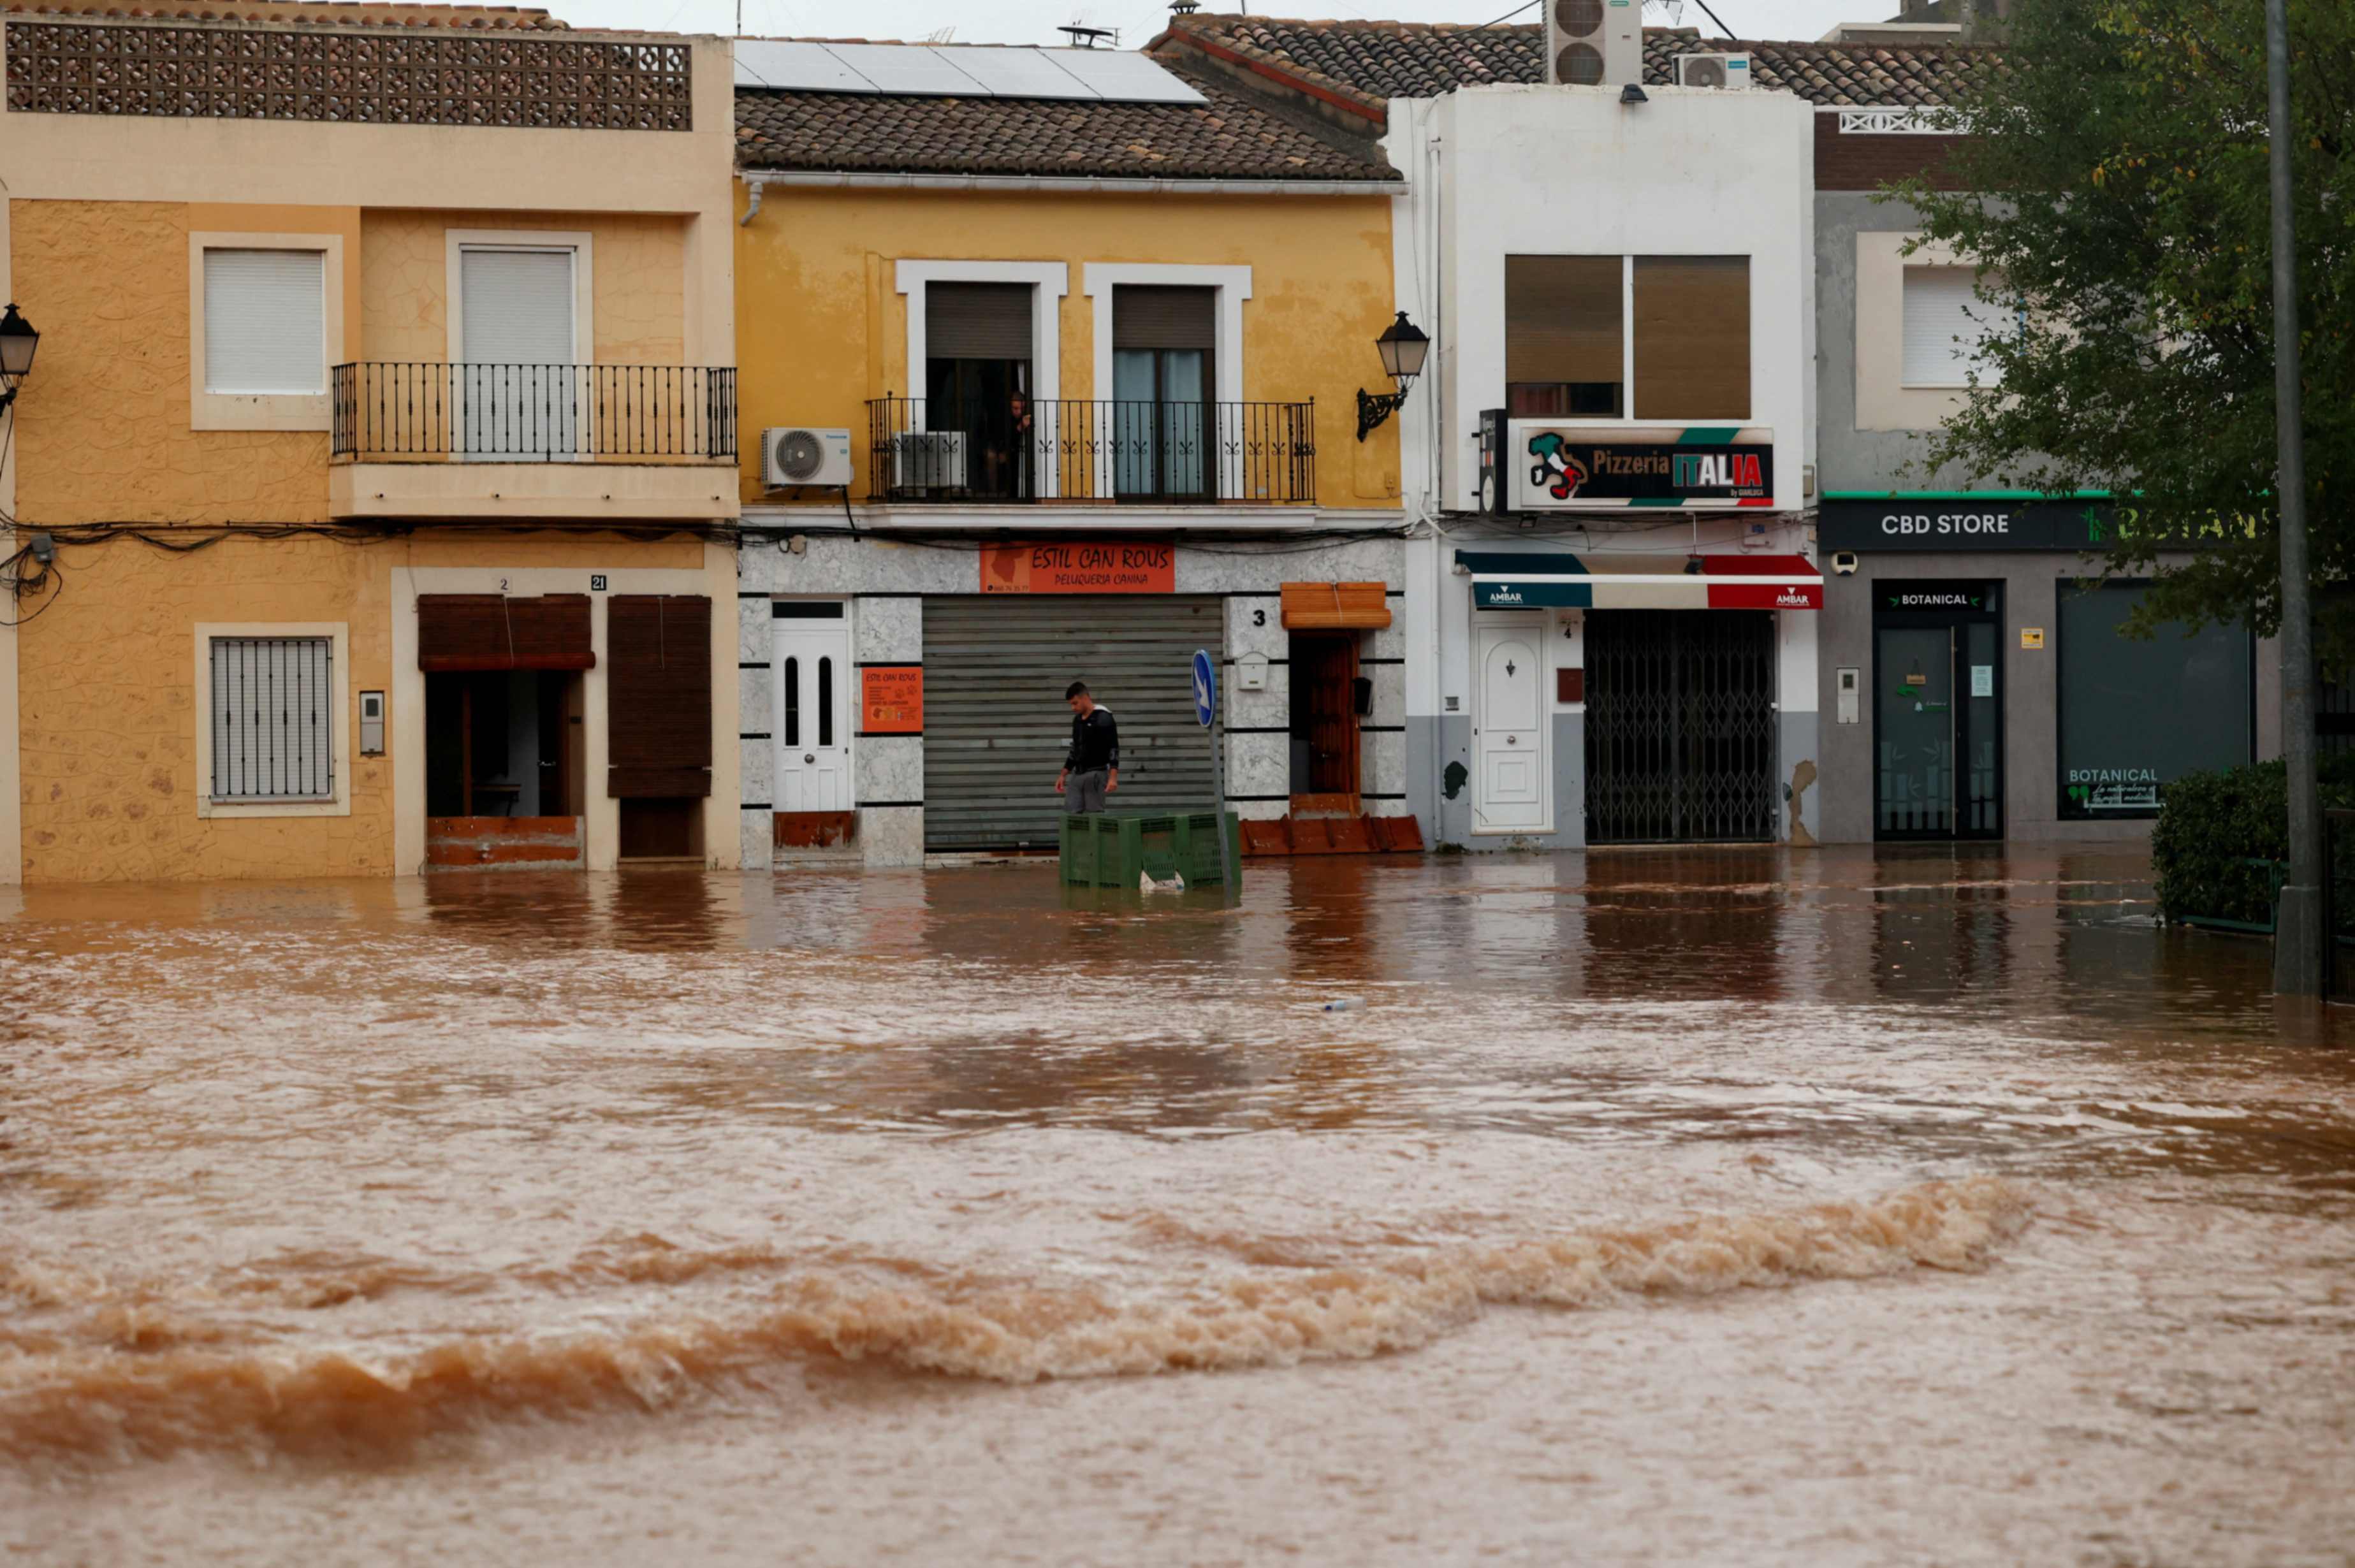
1640 583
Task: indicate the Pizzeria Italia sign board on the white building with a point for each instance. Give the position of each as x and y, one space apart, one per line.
1588 465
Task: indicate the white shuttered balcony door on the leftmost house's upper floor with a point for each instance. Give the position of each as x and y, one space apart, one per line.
519 385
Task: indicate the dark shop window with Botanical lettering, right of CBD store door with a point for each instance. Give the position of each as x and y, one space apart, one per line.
2114 752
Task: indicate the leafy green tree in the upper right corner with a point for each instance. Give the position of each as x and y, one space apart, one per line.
2116 194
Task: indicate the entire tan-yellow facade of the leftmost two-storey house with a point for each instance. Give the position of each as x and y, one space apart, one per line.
383 420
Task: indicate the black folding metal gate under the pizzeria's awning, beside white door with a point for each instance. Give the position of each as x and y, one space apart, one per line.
1680 726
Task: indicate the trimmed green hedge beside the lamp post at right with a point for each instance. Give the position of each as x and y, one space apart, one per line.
2213 825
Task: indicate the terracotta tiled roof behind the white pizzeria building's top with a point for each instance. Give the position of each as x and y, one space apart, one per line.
1417 60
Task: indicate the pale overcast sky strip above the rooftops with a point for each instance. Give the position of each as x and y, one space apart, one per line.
1136 20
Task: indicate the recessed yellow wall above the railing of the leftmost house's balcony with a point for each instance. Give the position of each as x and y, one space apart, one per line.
639 274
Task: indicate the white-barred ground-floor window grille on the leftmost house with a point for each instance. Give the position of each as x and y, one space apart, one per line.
272 719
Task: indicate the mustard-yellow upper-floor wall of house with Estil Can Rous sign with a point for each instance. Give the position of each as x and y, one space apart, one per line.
823 328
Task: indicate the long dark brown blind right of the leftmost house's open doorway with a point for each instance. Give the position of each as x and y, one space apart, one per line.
658 696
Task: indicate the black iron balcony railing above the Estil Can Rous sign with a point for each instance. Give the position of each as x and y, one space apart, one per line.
1077 451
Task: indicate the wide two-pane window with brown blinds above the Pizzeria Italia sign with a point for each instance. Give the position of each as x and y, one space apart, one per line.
1600 338
